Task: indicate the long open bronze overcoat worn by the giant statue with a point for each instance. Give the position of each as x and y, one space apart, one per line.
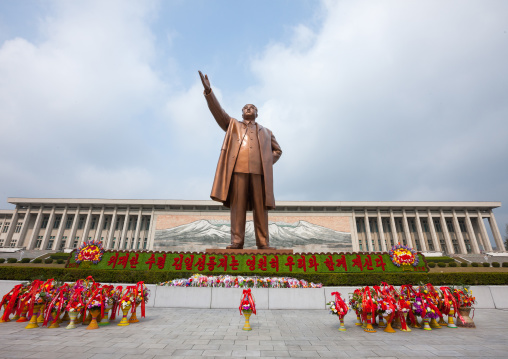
235 130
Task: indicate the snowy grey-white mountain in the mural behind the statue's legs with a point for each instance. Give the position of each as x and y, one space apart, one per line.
302 236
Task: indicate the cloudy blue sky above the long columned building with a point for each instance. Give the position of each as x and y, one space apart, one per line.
369 100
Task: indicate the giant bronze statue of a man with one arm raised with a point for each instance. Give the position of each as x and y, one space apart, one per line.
244 176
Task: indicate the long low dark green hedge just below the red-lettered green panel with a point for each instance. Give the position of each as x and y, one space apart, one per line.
357 279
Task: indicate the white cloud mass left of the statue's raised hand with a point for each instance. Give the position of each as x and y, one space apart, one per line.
79 96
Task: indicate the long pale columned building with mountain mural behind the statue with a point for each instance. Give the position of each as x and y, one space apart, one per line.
63 224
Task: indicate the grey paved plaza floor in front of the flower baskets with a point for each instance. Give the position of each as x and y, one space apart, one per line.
187 333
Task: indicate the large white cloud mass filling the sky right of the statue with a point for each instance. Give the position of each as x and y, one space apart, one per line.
388 99
